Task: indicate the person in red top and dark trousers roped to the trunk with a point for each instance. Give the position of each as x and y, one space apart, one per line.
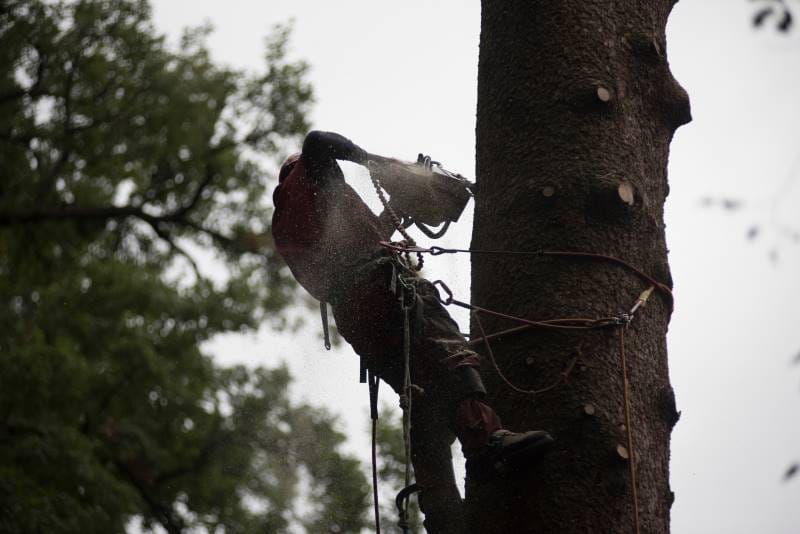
330 240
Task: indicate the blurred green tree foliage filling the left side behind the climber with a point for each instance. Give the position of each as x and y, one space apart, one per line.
122 160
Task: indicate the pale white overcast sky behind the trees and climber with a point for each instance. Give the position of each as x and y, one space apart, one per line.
401 80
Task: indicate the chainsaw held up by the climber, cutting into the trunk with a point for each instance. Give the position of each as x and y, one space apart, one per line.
422 193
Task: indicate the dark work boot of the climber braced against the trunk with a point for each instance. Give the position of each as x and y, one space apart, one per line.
507 452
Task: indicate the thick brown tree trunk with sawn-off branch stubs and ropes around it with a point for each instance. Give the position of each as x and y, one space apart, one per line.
576 110
